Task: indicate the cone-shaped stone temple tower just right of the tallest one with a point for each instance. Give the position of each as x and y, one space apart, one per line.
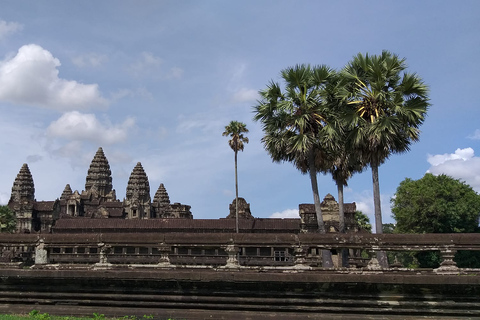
137 201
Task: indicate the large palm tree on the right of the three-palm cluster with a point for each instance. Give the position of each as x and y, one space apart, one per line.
387 107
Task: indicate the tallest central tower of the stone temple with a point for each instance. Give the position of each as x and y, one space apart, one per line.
99 177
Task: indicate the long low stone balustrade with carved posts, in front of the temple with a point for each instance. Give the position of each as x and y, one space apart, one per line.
233 251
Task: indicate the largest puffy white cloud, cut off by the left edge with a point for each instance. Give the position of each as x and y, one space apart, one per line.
31 78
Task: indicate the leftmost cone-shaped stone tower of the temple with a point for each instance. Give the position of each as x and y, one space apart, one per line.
22 200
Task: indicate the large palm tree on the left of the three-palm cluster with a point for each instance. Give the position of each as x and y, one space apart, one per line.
296 124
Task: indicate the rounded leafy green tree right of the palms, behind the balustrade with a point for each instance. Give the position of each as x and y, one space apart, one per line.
437 204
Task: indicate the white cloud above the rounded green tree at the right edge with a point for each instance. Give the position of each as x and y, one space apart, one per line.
462 165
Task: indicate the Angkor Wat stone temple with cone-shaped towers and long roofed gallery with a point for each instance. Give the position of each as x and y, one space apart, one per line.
97 209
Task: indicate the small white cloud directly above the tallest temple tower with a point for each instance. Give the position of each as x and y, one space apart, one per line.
79 126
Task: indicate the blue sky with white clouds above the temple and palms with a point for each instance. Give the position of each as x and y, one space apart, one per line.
157 81
